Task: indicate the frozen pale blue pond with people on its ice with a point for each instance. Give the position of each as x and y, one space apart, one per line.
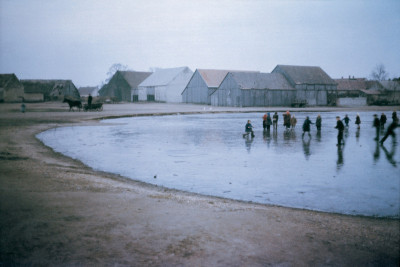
207 154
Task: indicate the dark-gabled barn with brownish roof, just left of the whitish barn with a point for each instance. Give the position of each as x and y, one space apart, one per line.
121 85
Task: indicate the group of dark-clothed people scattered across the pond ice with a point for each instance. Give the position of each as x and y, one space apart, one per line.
290 121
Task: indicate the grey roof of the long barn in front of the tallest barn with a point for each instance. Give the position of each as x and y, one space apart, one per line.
254 80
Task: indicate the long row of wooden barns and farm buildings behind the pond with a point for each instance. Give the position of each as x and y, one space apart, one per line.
286 85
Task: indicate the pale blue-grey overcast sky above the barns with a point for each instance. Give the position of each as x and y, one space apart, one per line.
80 40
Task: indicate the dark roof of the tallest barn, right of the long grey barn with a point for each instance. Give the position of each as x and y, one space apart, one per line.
304 74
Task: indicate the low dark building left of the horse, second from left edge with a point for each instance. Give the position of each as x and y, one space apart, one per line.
46 90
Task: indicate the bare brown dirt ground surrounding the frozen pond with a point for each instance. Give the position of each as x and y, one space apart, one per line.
56 211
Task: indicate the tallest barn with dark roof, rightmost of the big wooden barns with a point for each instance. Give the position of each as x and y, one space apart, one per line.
312 84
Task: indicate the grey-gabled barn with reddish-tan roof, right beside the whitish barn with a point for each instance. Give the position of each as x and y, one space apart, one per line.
202 84
